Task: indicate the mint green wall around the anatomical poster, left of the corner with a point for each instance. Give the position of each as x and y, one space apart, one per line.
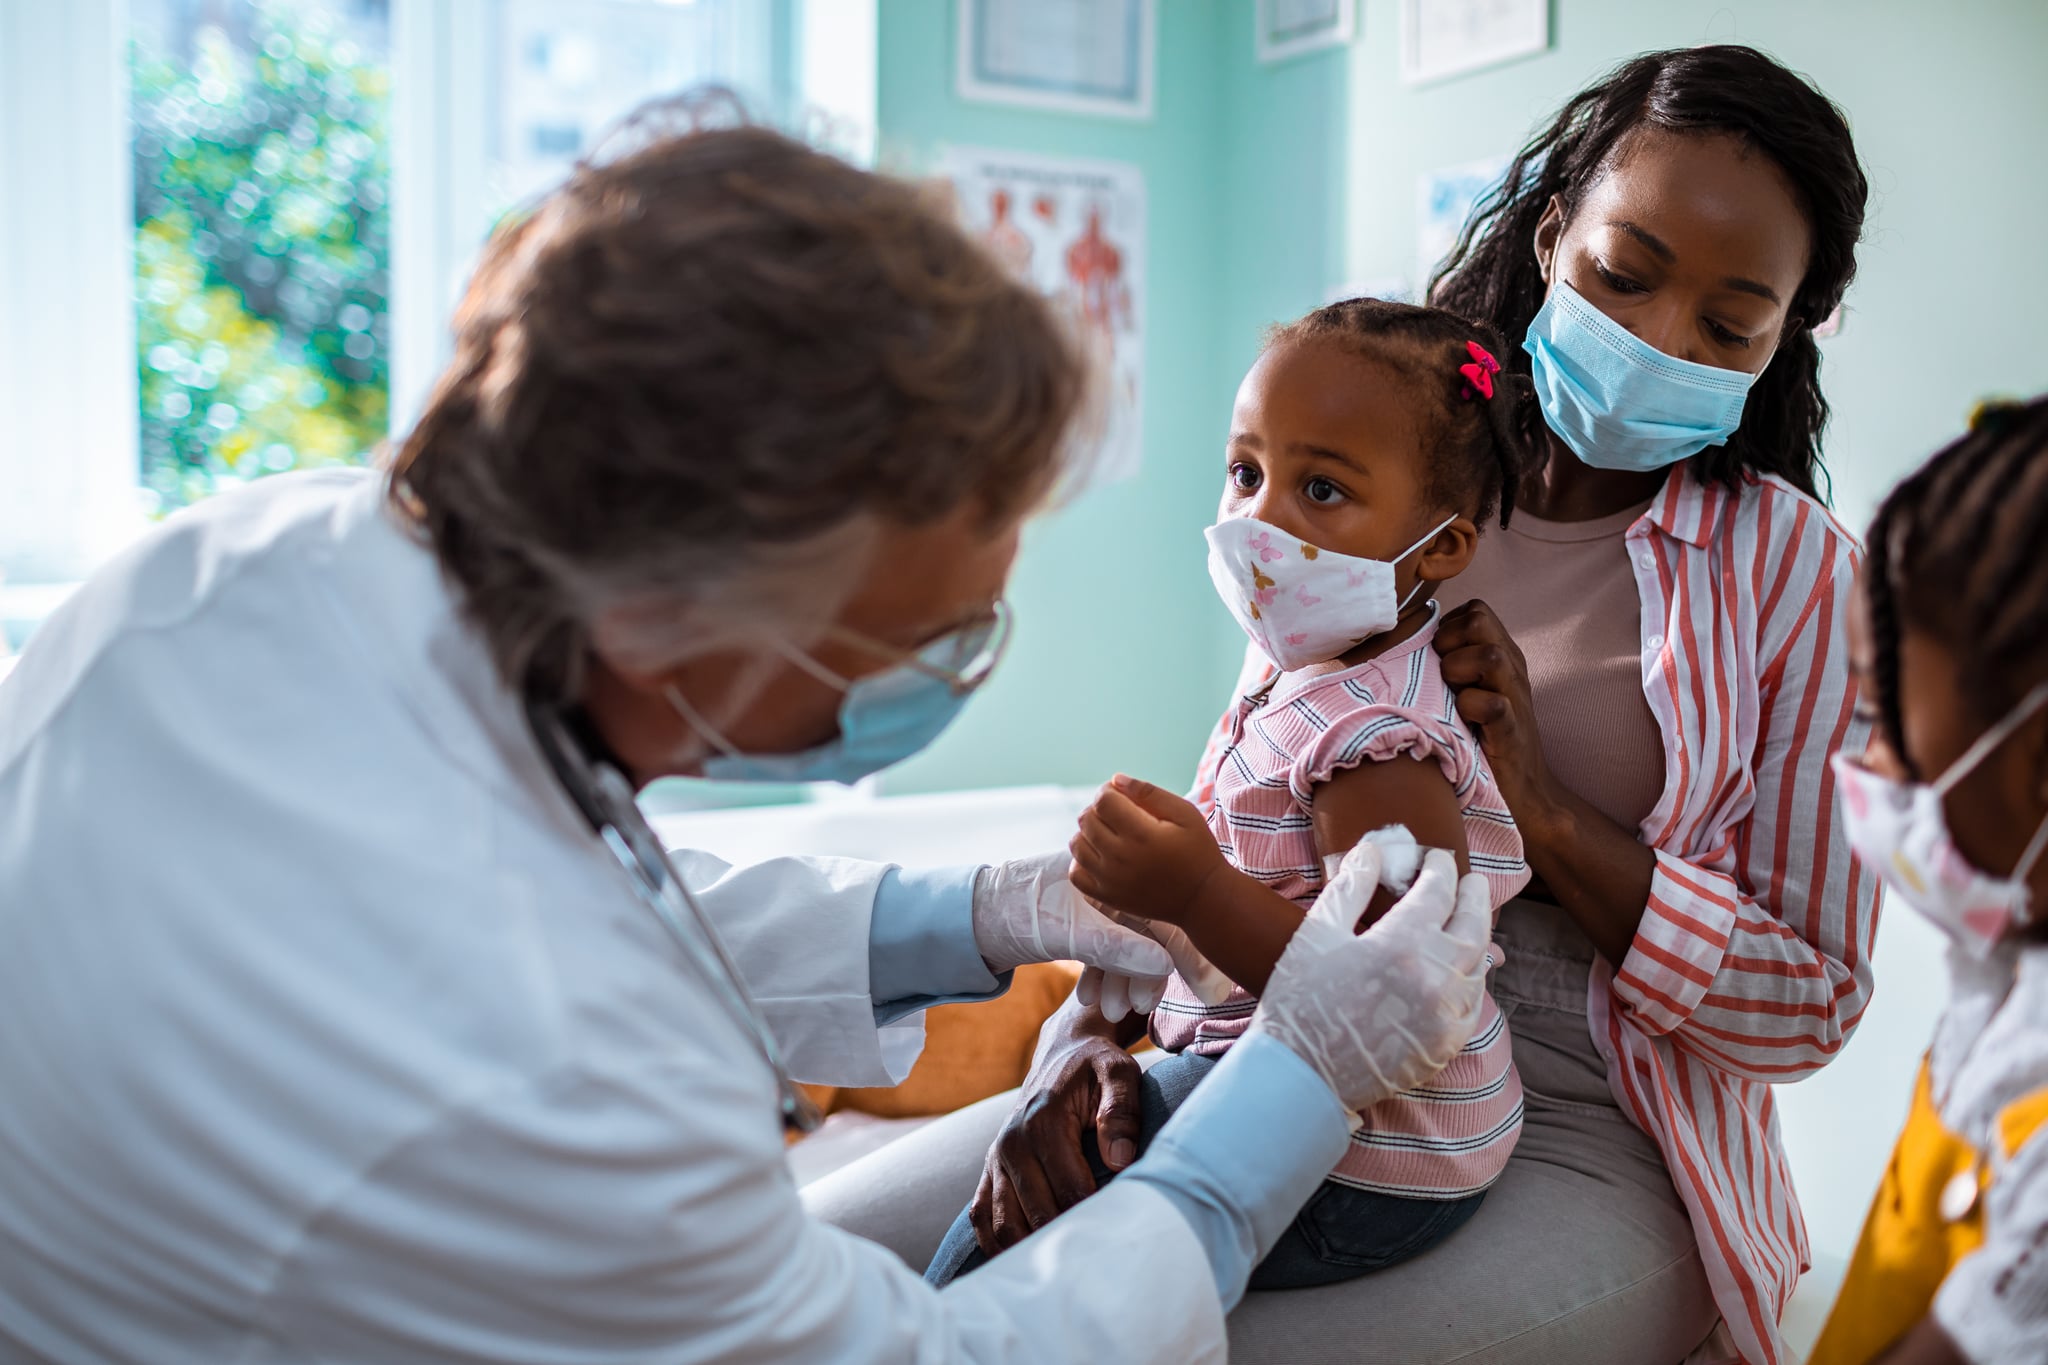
1119 660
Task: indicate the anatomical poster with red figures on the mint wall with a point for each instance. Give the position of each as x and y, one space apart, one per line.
1076 230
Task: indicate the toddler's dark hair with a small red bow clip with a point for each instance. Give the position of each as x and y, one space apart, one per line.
1478 441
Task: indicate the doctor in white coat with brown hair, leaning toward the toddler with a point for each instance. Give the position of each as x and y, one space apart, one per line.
351 1010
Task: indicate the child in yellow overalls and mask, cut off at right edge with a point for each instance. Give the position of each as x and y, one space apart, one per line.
1951 807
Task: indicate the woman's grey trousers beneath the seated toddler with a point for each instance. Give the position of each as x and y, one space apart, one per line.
1582 1251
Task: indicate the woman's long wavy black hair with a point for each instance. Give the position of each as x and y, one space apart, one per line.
1727 91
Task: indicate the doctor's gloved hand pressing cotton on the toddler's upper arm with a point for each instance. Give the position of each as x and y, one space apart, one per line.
1381 1012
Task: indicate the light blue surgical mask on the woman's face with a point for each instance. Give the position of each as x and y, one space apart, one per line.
1617 400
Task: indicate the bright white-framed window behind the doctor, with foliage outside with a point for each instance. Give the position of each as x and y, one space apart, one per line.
232 230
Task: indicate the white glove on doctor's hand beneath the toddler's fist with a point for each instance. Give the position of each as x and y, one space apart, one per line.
1029 912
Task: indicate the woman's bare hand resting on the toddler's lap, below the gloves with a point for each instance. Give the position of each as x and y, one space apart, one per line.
1037 1168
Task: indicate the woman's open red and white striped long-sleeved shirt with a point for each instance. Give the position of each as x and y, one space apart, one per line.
1752 963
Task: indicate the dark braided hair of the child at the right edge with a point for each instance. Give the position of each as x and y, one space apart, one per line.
1961 552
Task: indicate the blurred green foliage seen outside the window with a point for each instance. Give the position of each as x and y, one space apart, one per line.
261 253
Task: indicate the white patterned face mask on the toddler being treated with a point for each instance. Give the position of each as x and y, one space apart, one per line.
1299 603
